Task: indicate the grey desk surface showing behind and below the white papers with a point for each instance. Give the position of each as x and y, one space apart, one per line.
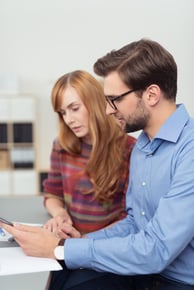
28 209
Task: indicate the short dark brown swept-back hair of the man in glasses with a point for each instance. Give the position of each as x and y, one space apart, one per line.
140 64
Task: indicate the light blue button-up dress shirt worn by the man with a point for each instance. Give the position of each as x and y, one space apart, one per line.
157 236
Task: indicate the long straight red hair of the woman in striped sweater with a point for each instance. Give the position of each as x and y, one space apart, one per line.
108 139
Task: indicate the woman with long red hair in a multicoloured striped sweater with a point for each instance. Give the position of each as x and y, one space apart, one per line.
88 177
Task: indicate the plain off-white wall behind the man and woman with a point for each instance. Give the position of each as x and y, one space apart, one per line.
43 39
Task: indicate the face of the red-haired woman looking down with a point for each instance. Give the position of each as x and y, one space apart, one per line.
75 114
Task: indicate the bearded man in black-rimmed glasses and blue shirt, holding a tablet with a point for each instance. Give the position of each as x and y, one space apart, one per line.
153 248
